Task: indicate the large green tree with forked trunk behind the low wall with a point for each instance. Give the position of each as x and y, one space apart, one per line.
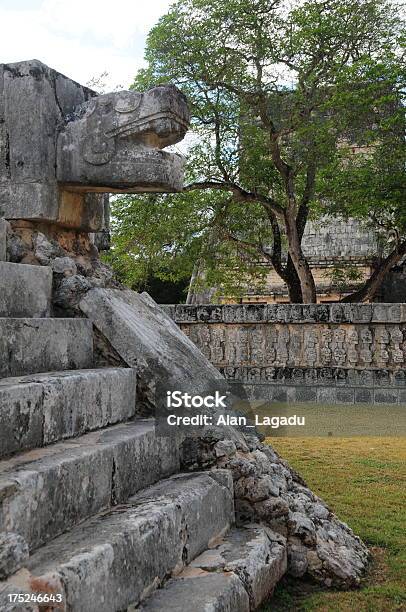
271 88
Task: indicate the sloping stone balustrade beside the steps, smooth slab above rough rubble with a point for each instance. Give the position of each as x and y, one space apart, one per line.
266 490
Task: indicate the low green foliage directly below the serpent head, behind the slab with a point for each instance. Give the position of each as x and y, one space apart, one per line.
165 235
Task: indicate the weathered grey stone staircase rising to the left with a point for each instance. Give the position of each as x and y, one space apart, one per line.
93 495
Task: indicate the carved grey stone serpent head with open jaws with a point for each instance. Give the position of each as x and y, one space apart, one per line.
114 142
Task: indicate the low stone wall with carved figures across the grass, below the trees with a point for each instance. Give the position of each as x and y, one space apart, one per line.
333 353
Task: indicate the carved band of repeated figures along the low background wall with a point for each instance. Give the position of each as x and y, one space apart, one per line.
310 345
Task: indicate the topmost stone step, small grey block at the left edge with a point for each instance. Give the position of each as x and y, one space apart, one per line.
25 291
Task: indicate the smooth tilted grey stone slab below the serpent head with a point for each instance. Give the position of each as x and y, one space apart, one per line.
146 338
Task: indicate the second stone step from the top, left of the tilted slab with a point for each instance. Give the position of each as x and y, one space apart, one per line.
29 346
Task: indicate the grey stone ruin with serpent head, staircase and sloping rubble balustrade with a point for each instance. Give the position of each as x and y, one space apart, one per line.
97 511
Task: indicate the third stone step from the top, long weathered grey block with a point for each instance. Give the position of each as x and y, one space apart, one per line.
40 409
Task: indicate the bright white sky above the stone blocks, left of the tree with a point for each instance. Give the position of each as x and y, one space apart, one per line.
80 38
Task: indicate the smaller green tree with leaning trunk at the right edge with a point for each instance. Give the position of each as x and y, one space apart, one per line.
370 184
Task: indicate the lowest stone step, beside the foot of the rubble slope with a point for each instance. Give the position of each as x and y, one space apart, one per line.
237 576
